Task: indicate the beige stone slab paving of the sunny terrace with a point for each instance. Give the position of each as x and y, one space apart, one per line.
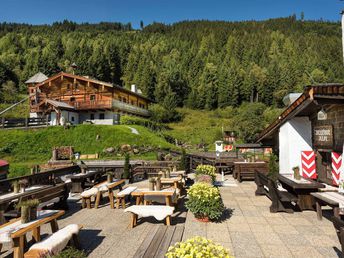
249 231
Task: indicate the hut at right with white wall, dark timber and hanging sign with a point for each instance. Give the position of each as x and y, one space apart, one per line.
313 121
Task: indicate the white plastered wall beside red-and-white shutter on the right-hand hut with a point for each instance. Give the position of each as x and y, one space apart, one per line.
294 136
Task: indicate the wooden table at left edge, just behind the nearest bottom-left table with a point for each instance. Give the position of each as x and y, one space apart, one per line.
6 199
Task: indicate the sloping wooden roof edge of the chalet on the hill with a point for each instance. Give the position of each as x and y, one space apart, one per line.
91 80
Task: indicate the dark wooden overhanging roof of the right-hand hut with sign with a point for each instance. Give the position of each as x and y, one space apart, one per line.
330 92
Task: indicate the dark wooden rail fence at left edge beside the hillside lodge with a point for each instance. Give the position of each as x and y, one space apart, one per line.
23 122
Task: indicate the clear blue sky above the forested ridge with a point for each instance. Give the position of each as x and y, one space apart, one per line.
167 11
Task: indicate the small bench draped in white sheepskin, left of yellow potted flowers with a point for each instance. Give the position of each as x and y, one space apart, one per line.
159 212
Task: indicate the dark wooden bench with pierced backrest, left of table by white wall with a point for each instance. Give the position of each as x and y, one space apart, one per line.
281 200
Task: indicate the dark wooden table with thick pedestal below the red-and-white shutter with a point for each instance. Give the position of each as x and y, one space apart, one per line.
302 189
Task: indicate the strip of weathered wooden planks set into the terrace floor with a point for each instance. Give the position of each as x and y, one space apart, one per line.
159 239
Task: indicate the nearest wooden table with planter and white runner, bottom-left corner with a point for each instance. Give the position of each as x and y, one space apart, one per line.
19 236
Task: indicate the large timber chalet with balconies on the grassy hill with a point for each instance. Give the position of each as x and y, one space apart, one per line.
76 99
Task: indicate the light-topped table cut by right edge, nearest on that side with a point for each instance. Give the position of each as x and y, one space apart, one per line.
331 199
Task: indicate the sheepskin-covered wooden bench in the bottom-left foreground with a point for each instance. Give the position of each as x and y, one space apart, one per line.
66 236
